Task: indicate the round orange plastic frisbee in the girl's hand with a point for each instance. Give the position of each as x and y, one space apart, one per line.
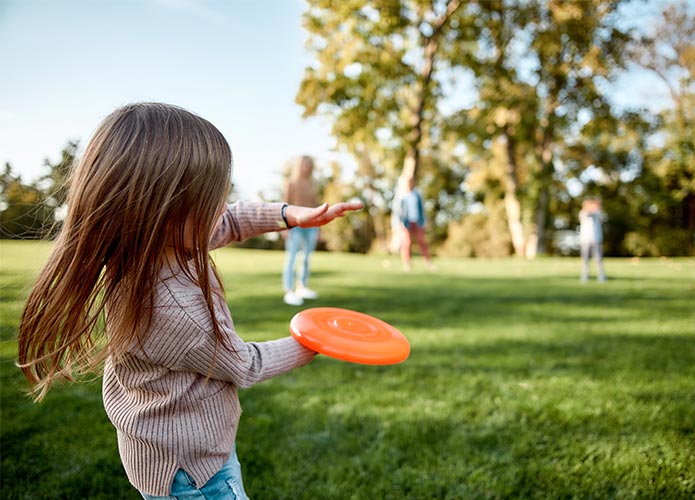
350 336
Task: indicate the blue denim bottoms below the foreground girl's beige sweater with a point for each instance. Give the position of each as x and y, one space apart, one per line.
226 484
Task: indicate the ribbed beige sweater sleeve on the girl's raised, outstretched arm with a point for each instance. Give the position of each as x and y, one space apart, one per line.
243 220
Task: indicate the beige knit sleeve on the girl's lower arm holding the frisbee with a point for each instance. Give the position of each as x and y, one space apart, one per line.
182 338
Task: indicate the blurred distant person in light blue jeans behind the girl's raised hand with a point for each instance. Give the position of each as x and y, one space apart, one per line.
300 189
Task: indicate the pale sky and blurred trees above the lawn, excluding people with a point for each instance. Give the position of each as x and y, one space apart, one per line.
510 113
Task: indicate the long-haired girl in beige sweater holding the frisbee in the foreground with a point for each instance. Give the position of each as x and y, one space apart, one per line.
130 282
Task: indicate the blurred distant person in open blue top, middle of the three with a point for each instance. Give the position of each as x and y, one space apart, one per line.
409 210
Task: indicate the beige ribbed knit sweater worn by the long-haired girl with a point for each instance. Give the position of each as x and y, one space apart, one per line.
167 413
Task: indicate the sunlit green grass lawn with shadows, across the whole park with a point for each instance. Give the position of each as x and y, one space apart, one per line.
521 383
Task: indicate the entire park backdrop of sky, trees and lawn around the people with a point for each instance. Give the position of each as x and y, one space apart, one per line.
522 383
